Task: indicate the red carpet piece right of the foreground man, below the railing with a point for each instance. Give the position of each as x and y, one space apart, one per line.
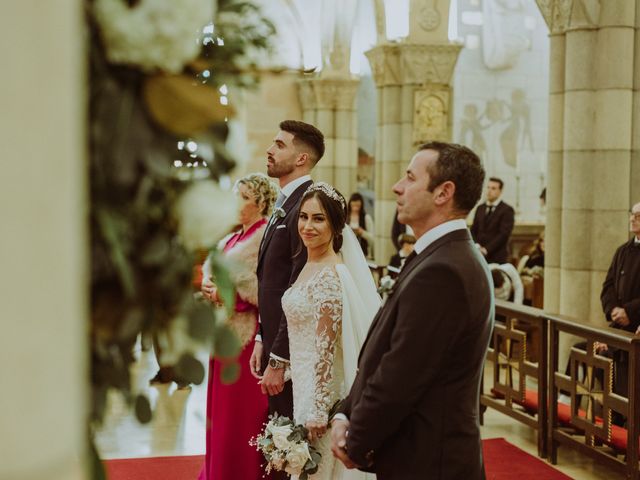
504 461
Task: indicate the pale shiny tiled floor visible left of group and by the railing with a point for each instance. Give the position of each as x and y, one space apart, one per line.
179 423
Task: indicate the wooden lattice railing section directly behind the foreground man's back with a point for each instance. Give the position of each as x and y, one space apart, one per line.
518 354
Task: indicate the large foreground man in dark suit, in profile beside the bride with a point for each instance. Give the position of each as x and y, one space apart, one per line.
412 412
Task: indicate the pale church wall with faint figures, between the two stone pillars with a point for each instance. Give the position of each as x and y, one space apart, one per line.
501 97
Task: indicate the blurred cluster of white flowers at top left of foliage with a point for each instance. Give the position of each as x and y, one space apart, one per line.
154 34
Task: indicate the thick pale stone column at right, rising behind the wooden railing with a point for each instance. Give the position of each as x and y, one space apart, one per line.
590 158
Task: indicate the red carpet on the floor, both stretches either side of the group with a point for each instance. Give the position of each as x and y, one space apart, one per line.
502 460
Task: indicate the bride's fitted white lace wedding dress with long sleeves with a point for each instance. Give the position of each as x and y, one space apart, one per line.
317 307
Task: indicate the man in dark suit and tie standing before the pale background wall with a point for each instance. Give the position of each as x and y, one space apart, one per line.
493 224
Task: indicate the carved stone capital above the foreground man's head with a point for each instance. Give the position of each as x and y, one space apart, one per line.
413 64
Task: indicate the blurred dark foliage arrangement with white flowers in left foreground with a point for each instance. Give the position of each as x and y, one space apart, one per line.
150 94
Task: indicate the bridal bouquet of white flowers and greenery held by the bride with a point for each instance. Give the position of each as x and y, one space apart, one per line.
285 447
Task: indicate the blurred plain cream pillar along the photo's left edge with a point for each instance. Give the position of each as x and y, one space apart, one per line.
43 279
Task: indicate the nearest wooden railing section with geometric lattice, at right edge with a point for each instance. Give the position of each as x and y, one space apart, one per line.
590 383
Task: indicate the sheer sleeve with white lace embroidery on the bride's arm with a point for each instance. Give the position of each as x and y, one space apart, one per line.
327 307
